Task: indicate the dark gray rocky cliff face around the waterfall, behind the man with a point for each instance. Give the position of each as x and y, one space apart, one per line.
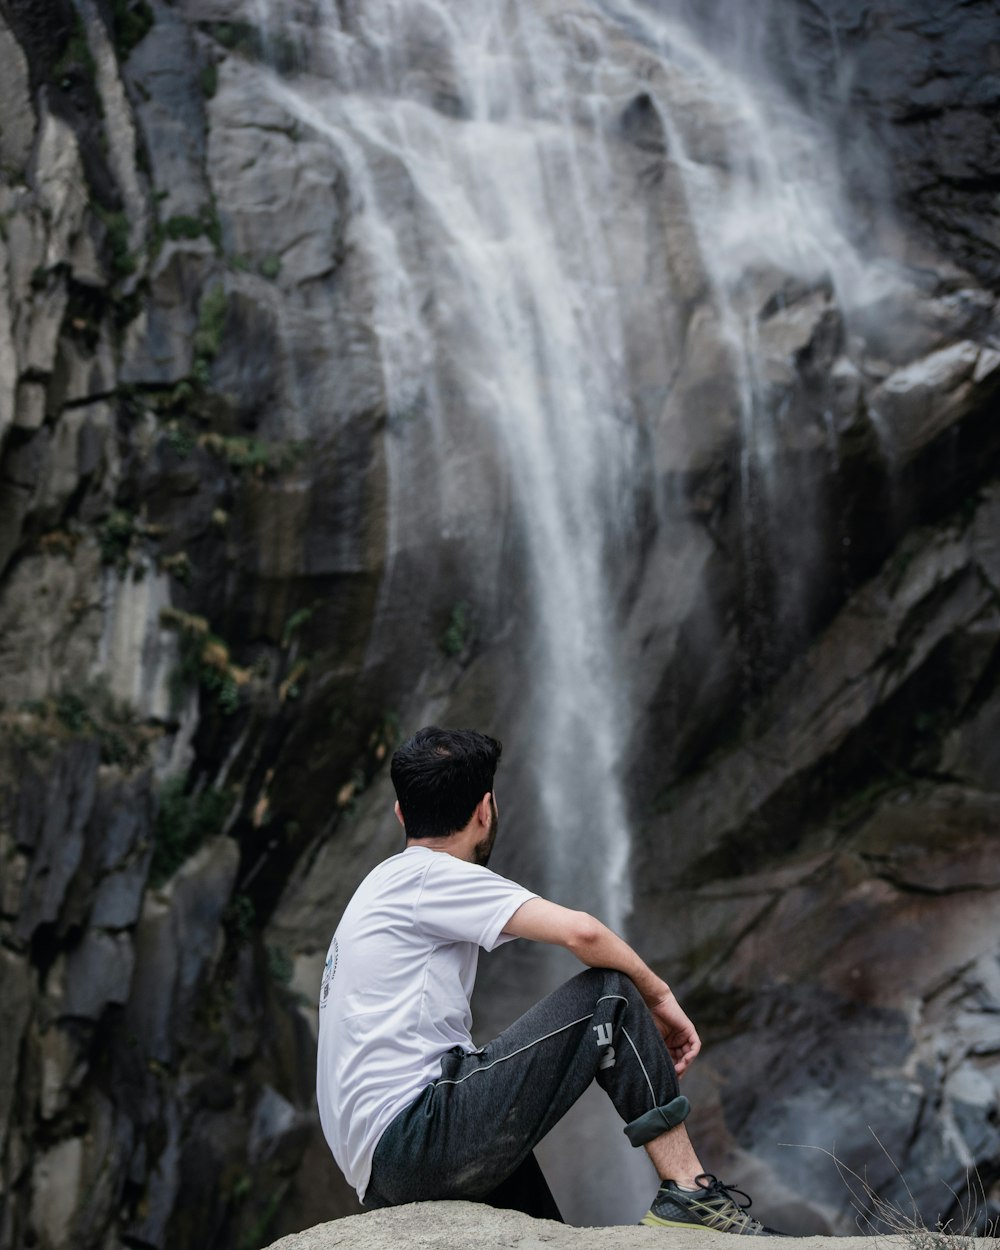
236 566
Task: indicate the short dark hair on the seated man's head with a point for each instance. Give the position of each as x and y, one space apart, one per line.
441 776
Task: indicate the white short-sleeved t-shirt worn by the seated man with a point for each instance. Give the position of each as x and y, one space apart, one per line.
396 992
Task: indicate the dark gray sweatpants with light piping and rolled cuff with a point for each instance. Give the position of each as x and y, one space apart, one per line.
481 1121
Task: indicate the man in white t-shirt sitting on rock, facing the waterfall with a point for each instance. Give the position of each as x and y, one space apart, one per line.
412 1109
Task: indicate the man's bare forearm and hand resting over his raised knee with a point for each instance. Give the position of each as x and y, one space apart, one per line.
598 947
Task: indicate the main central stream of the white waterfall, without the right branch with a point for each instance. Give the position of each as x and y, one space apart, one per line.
498 323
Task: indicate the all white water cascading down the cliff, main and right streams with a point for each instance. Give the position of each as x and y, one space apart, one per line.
481 141
